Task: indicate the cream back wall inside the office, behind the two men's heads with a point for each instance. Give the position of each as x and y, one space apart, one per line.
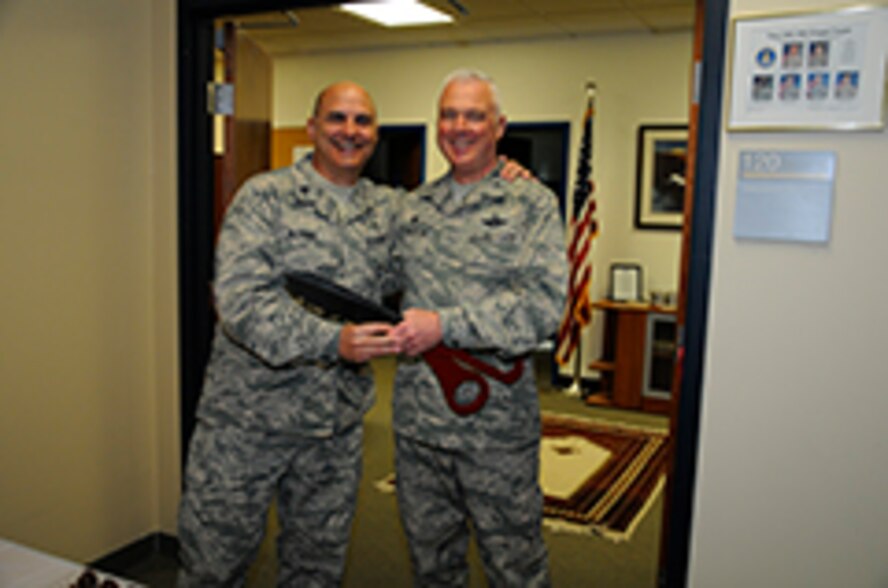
641 79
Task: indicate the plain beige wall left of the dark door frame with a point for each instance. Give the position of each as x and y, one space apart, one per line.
88 375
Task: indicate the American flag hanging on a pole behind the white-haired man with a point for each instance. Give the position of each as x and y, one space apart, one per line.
583 230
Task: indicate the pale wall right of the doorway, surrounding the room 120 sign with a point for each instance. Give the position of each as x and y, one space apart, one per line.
792 480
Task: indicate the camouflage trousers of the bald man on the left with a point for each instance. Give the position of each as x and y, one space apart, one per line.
231 478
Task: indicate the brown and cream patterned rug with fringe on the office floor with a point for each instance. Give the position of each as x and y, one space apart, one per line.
598 477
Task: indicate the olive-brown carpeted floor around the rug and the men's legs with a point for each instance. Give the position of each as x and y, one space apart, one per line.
378 552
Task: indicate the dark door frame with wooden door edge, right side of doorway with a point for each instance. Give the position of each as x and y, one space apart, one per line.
702 154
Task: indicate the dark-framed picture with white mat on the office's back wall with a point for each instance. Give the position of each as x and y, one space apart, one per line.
662 153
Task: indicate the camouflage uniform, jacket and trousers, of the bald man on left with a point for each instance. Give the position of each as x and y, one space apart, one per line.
281 413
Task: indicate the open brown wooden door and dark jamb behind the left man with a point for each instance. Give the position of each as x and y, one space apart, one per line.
240 147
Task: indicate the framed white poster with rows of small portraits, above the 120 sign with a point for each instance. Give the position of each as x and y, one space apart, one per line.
808 71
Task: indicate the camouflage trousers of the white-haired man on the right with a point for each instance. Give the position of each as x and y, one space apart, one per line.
440 491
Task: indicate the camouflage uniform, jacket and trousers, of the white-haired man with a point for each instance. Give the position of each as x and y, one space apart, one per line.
493 264
